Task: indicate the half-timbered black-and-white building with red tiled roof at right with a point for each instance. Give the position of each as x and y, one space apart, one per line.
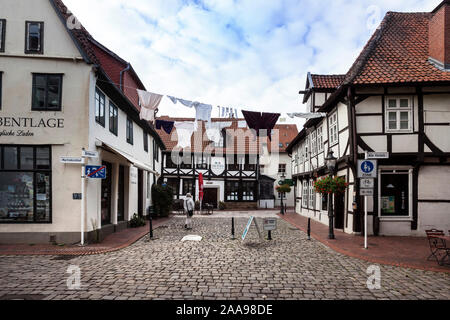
396 99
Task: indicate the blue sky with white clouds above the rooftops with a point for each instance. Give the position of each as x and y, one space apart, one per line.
247 54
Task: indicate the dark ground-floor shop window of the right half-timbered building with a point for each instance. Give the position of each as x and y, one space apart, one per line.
395 198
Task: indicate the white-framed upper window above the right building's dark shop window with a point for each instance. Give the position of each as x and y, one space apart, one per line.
398 114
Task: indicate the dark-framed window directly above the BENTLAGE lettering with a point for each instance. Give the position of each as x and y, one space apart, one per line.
47 92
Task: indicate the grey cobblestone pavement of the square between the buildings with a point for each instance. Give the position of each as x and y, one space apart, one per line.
289 267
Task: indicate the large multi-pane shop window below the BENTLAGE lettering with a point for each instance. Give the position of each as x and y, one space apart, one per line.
25 184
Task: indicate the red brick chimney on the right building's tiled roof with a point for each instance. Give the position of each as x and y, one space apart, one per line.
439 36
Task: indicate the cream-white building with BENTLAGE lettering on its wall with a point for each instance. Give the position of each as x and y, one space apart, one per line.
61 92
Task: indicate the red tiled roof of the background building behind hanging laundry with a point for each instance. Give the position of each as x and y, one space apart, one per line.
287 132
